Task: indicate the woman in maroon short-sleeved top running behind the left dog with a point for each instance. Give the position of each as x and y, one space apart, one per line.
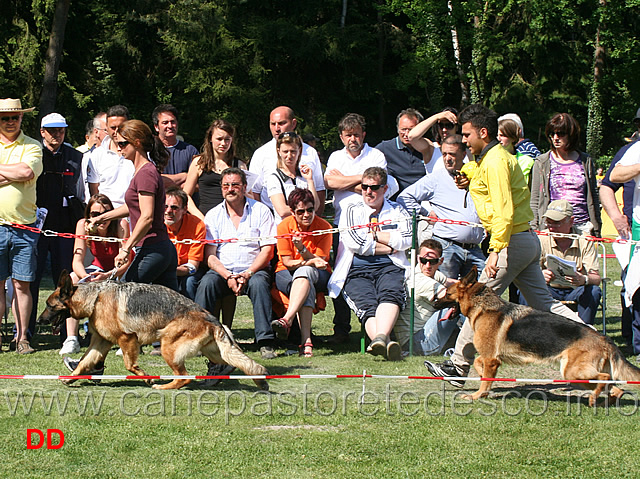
155 259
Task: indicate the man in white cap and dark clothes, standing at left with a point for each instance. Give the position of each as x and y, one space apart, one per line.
57 187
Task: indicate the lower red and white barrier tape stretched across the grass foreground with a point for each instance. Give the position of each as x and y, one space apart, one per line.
318 376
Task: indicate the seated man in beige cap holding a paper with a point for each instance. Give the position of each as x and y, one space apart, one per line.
582 287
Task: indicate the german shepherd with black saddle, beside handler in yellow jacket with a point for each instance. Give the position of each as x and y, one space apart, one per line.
514 334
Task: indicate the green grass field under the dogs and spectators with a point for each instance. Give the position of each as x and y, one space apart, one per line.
311 427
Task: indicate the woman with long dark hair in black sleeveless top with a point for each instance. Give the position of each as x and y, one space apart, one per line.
218 154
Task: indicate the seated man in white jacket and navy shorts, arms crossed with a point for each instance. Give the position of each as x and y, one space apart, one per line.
371 264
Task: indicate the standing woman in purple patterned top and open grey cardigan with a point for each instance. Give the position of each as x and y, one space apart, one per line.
566 173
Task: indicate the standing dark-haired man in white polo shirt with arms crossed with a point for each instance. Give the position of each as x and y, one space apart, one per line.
344 176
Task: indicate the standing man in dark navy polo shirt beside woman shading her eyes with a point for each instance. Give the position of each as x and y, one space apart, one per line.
404 162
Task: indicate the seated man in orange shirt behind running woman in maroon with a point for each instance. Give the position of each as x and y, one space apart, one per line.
181 225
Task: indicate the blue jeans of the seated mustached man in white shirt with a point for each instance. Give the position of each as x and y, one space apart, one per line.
213 287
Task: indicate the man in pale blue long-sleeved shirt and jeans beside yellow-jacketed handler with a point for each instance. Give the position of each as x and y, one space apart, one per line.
460 243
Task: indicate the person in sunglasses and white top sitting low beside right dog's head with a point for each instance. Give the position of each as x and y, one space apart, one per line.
432 328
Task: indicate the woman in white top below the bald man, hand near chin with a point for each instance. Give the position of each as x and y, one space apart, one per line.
289 175
